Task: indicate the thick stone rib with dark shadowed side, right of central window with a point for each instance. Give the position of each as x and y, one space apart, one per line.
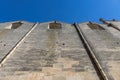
91 54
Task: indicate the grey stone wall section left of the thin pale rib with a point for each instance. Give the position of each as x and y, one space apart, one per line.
10 37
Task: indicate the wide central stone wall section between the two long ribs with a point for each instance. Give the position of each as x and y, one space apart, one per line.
49 54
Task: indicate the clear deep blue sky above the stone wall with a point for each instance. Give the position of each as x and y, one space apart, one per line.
63 10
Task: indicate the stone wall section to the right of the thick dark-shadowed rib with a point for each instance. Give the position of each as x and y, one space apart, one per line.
106 46
